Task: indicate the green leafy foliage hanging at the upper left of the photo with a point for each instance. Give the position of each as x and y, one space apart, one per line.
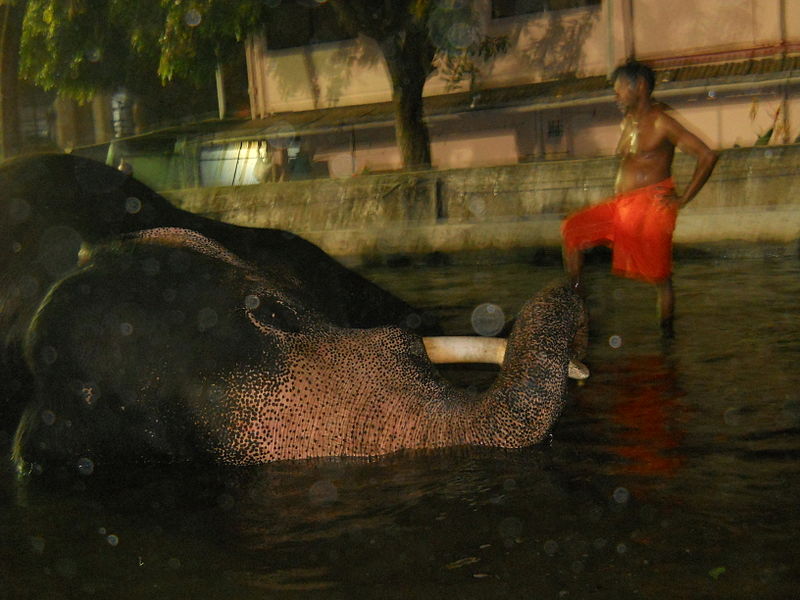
79 46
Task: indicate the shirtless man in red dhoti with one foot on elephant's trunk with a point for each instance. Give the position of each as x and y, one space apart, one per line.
639 220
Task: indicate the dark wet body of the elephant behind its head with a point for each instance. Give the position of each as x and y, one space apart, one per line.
52 205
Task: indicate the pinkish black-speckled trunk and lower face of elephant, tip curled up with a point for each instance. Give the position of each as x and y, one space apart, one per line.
368 392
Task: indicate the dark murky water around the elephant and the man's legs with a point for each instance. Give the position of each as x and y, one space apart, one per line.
673 473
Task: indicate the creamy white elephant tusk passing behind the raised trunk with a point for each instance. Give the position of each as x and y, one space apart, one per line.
473 349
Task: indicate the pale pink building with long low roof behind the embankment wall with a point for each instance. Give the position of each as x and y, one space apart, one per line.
320 102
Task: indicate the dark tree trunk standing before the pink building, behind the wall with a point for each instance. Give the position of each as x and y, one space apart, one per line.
408 59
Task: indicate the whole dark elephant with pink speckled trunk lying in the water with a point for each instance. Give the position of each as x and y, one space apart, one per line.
134 331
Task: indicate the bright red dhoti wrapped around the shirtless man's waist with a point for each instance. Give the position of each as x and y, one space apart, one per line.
638 227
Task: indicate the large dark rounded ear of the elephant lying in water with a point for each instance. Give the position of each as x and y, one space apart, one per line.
123 351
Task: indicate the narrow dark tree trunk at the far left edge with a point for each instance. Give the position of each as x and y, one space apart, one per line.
10 33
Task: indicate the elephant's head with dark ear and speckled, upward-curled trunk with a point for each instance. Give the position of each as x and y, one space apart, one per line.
168 346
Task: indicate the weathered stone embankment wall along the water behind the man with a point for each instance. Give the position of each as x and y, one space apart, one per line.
752 196
